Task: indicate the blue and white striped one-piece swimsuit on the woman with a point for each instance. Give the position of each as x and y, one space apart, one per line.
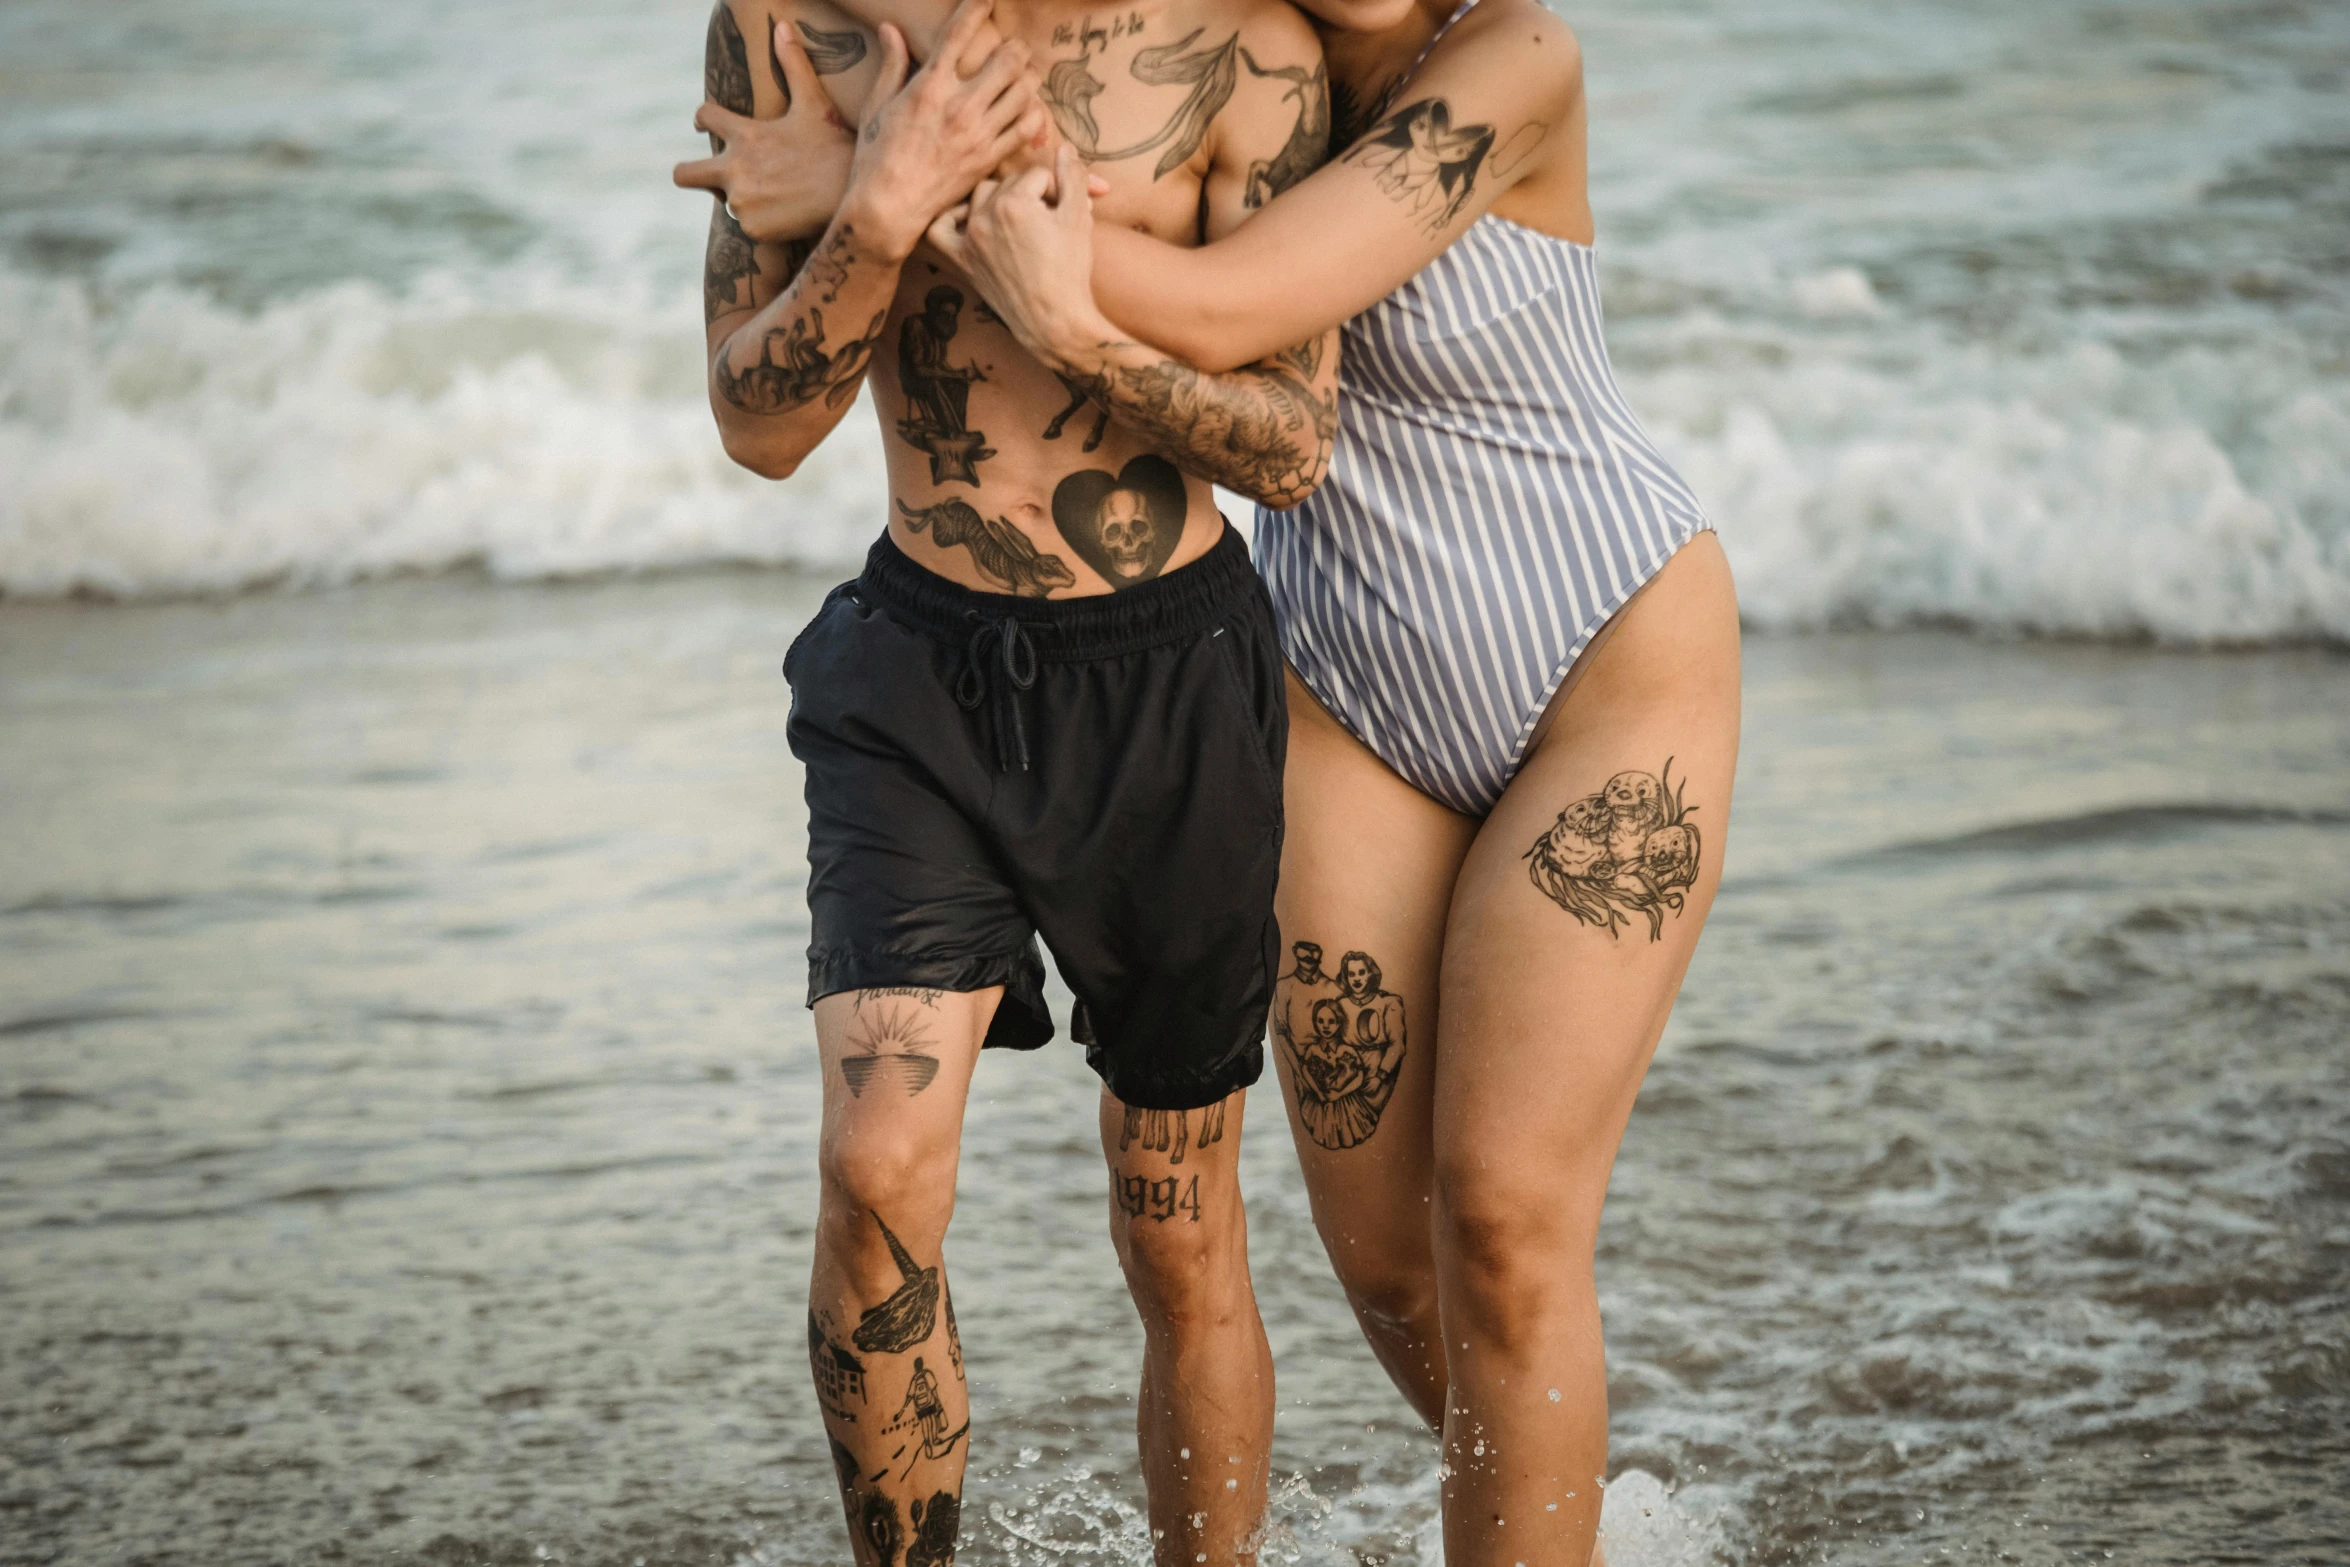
1491 504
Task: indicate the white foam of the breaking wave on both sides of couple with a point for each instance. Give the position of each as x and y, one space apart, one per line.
1860 471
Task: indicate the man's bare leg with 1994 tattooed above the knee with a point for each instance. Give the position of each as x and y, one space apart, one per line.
1207 1408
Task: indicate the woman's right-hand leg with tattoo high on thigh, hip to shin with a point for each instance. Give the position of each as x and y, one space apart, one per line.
1571 929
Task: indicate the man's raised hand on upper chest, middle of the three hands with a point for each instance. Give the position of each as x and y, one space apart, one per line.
925 147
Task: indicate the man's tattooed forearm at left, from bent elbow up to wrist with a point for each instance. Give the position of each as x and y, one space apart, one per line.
784 375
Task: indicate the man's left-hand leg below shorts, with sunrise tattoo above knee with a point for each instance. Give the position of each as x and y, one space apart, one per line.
882 1343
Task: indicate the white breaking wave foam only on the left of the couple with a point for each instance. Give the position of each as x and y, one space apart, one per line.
184 448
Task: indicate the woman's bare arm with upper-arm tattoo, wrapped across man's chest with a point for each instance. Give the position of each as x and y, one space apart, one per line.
1477 119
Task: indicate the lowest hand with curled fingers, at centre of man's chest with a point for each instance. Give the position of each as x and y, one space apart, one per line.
1028 248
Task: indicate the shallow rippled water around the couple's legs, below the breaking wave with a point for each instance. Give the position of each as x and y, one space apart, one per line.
408 1119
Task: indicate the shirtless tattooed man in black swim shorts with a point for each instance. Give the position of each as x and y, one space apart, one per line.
1052 704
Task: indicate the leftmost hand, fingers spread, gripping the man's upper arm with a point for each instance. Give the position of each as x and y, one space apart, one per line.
781 180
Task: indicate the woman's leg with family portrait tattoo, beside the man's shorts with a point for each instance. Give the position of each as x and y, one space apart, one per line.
1367 868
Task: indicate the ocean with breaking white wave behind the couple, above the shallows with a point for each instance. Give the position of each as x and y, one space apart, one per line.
2006 316
